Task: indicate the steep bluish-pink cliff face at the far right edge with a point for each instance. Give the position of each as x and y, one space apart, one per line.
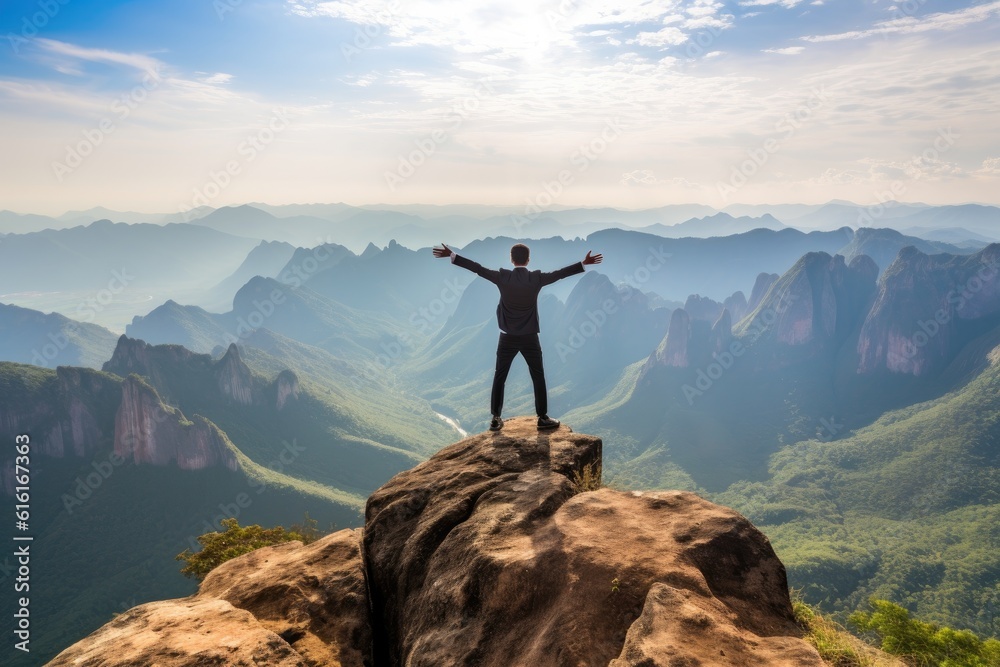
927 308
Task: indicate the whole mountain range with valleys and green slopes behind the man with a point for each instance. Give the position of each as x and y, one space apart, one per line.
837 387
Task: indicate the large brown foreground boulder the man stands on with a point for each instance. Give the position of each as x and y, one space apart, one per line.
490 555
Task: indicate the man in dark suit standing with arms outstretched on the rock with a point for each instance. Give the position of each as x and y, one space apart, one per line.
517 316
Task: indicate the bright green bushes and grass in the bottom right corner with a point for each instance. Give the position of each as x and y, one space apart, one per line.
924 644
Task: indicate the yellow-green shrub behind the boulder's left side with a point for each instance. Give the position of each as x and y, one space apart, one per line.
236 540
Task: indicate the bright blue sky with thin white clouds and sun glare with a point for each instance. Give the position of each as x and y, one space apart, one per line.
164 105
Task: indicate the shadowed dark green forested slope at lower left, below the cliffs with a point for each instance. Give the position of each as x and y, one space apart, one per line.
115 548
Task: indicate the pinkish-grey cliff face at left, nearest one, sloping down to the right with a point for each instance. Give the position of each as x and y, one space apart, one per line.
149 432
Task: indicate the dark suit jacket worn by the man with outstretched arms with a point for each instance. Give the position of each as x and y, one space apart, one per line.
517 312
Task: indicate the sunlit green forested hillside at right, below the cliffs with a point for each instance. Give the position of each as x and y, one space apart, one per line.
907 509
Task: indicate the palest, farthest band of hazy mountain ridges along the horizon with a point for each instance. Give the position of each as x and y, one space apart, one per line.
420 225
